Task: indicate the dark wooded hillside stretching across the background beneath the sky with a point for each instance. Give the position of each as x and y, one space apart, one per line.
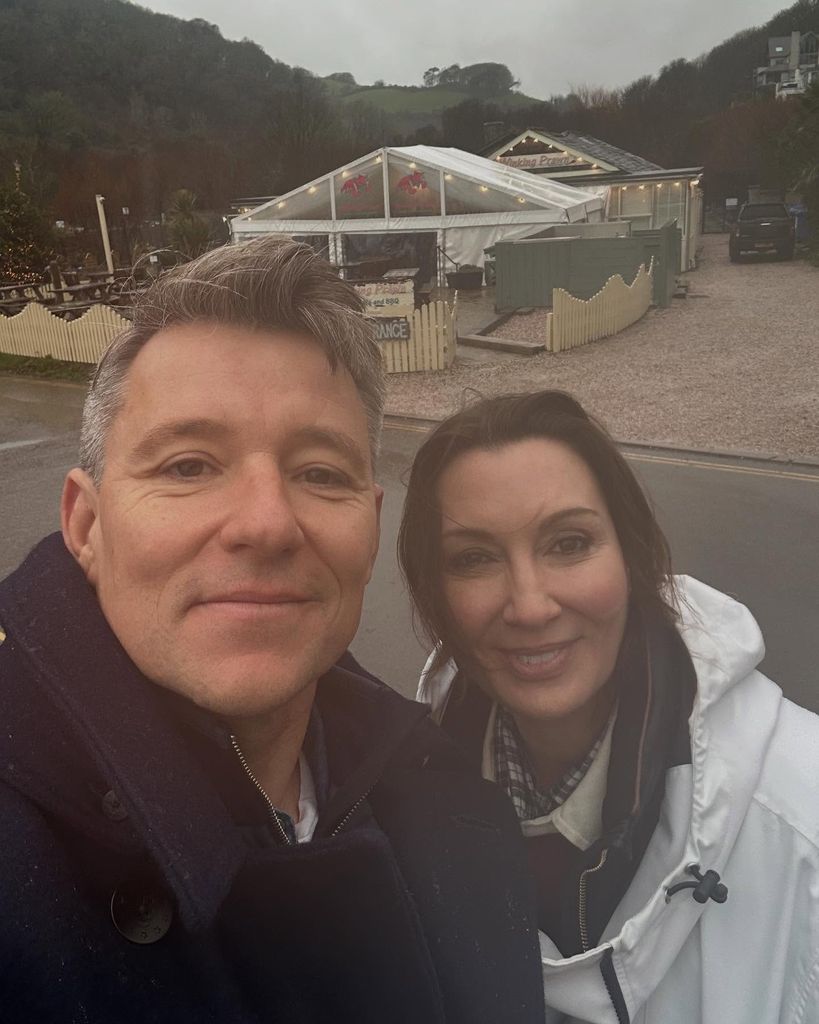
106 97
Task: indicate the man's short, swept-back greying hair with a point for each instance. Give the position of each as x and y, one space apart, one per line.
267 284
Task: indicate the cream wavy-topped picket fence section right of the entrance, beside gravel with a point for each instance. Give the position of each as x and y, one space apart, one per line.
577 322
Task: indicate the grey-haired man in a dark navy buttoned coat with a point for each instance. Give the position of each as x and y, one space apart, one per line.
208 812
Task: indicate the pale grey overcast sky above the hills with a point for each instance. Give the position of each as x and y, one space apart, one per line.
550 46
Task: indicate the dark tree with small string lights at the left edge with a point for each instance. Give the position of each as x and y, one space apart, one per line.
26 239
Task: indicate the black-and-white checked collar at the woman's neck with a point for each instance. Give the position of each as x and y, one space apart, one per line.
514 774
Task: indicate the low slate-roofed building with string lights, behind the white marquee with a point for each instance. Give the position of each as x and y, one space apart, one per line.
639 192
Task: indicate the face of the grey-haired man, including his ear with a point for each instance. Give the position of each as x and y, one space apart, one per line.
236 524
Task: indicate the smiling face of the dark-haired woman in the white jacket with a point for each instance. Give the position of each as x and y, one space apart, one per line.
534 576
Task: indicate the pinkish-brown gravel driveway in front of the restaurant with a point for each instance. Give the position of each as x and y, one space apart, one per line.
732 368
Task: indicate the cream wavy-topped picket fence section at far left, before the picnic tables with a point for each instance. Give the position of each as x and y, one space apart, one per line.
37 332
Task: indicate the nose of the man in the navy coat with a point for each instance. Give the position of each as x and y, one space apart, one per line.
260 513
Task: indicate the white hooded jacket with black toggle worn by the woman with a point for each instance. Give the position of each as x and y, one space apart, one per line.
747 807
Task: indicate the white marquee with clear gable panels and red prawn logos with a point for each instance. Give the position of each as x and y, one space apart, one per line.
454 202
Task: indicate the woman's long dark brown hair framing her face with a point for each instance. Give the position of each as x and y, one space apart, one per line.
493 423
